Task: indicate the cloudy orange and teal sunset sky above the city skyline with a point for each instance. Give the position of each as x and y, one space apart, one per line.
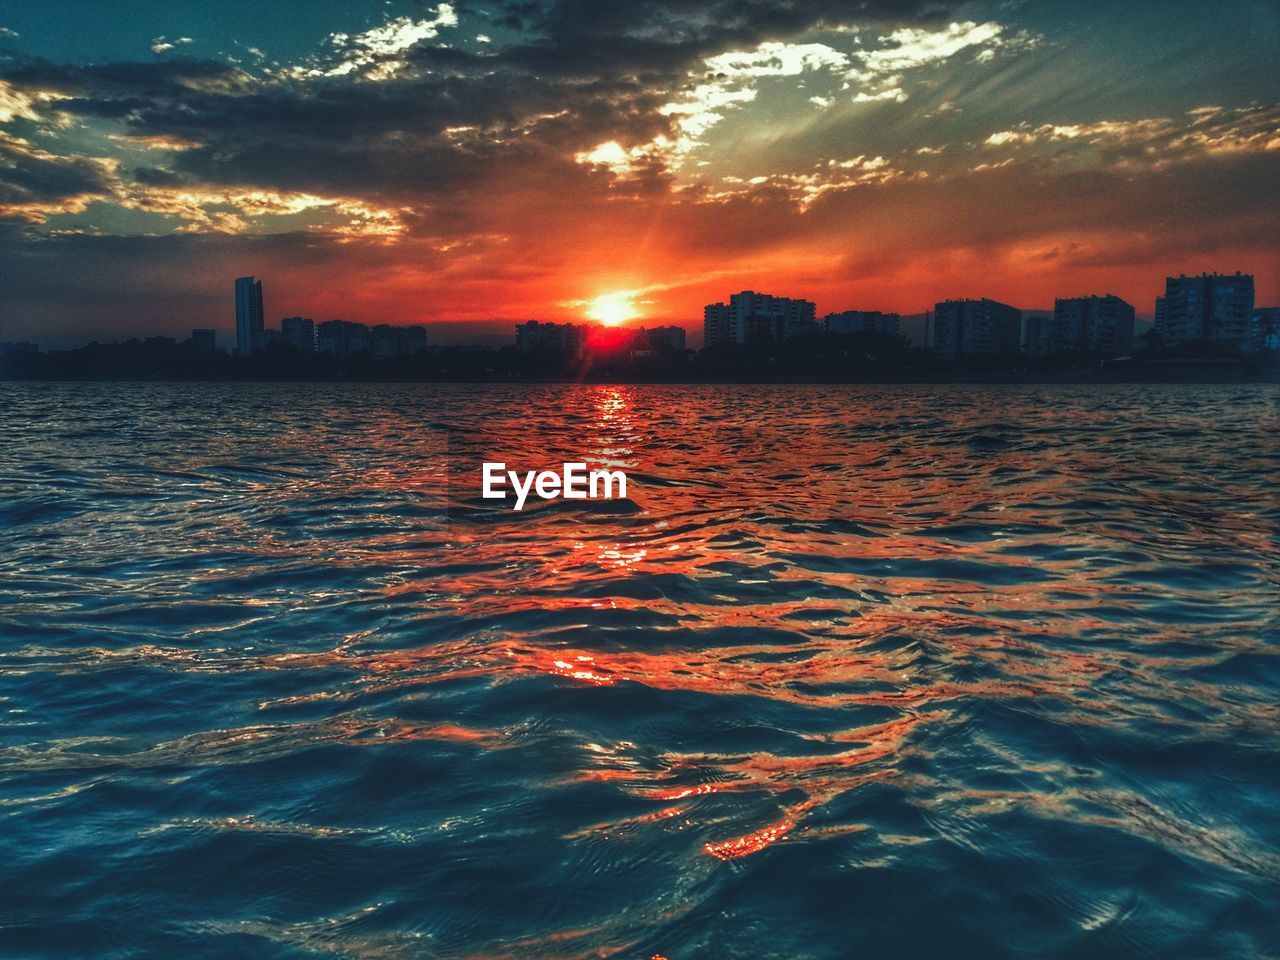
482 163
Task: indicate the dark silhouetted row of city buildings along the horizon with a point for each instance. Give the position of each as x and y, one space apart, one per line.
1213 310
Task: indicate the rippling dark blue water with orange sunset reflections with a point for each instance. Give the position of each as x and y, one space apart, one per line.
854 671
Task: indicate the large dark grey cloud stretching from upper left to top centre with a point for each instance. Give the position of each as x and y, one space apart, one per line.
588 74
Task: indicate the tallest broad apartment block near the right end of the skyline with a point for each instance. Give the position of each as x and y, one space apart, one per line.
1210 308
